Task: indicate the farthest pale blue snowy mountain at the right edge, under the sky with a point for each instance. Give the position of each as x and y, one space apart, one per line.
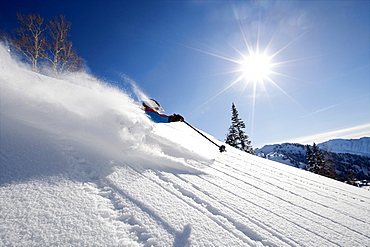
352 146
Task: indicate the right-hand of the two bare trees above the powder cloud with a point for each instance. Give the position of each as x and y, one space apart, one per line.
62 55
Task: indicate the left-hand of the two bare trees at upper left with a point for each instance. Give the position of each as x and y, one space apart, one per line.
30 39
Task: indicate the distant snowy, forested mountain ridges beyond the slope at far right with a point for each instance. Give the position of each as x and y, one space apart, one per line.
349 158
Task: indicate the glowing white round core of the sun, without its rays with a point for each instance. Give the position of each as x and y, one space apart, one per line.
256 67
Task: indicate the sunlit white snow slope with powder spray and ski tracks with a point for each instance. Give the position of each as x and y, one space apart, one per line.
81 165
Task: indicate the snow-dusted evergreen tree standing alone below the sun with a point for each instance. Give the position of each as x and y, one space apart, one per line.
236 136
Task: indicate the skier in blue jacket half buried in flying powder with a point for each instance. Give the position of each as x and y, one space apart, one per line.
152 108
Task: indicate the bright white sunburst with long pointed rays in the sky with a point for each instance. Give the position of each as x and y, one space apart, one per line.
257 64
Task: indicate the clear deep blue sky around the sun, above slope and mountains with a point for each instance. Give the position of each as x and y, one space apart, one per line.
189 56
